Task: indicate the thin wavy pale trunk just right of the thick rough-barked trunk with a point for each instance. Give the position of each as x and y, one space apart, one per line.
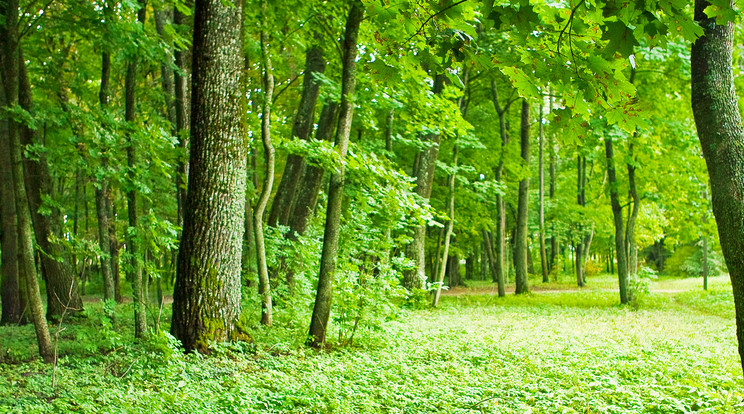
264 288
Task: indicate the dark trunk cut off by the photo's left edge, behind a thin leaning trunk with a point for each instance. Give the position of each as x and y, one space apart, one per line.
10 293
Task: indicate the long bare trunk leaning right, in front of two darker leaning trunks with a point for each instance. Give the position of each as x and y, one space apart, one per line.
324 296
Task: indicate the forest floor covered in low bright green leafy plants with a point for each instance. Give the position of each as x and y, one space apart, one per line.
558 350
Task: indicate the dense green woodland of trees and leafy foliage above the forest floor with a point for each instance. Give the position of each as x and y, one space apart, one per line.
331 164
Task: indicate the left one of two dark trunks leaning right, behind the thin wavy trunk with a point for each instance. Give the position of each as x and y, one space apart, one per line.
302 129
